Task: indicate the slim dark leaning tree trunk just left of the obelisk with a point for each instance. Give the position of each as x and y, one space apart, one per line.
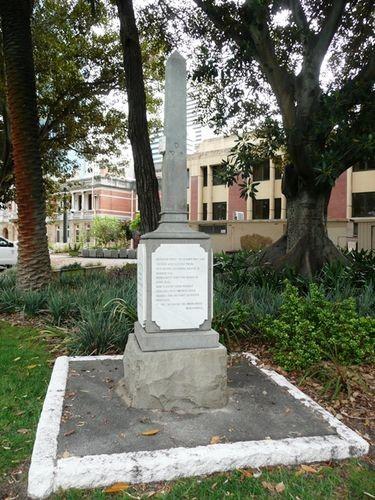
147 183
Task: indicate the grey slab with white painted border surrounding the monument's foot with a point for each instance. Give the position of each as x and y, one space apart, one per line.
94 440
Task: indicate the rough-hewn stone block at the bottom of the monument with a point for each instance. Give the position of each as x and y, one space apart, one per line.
175 379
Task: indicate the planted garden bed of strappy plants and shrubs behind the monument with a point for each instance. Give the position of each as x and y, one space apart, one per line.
255 310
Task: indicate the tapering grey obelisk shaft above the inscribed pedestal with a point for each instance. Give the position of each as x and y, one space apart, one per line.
174 172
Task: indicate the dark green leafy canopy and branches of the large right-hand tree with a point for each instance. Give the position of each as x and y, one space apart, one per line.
298 73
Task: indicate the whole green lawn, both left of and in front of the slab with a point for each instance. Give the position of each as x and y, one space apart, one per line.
25 372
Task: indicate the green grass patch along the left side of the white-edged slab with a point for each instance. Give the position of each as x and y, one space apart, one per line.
25 373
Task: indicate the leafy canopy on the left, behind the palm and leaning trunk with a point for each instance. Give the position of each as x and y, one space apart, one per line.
80 87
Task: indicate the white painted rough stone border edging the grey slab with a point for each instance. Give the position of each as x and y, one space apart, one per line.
48 474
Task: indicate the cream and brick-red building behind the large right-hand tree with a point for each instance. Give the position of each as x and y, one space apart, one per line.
214 206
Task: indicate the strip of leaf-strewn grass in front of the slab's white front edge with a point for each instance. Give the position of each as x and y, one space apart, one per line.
350 480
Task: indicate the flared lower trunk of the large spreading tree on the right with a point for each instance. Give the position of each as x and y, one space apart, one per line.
305 247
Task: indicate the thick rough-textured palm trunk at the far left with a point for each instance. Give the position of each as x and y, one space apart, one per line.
34 266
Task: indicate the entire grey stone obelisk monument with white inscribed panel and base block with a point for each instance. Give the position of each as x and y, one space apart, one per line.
174 359
